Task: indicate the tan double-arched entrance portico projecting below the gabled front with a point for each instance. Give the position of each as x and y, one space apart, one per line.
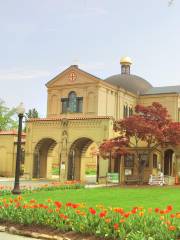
72 136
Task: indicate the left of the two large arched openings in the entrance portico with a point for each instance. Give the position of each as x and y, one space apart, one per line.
42 164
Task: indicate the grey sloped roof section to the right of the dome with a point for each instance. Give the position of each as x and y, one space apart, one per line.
161 90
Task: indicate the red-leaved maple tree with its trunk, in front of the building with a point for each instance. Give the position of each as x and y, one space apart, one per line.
148 129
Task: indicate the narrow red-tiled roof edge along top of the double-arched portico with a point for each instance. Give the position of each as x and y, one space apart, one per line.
69 118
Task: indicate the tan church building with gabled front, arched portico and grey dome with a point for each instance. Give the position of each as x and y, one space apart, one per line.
81 109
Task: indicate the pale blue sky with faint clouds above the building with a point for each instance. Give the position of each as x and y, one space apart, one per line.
40 38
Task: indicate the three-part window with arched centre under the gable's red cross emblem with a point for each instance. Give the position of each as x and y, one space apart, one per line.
72 103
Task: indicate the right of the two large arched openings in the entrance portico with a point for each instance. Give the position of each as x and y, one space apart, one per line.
82 157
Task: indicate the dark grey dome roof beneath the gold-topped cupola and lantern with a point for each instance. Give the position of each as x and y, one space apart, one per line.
131 83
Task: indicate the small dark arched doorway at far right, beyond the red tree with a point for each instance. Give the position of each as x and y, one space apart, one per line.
168 162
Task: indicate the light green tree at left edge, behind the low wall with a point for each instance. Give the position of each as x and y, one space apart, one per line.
8 118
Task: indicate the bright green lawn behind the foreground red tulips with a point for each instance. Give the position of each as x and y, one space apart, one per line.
116 197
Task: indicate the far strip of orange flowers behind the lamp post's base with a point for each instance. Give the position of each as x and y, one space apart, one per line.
6 190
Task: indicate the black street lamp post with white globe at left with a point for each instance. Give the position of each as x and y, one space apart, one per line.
20 110
